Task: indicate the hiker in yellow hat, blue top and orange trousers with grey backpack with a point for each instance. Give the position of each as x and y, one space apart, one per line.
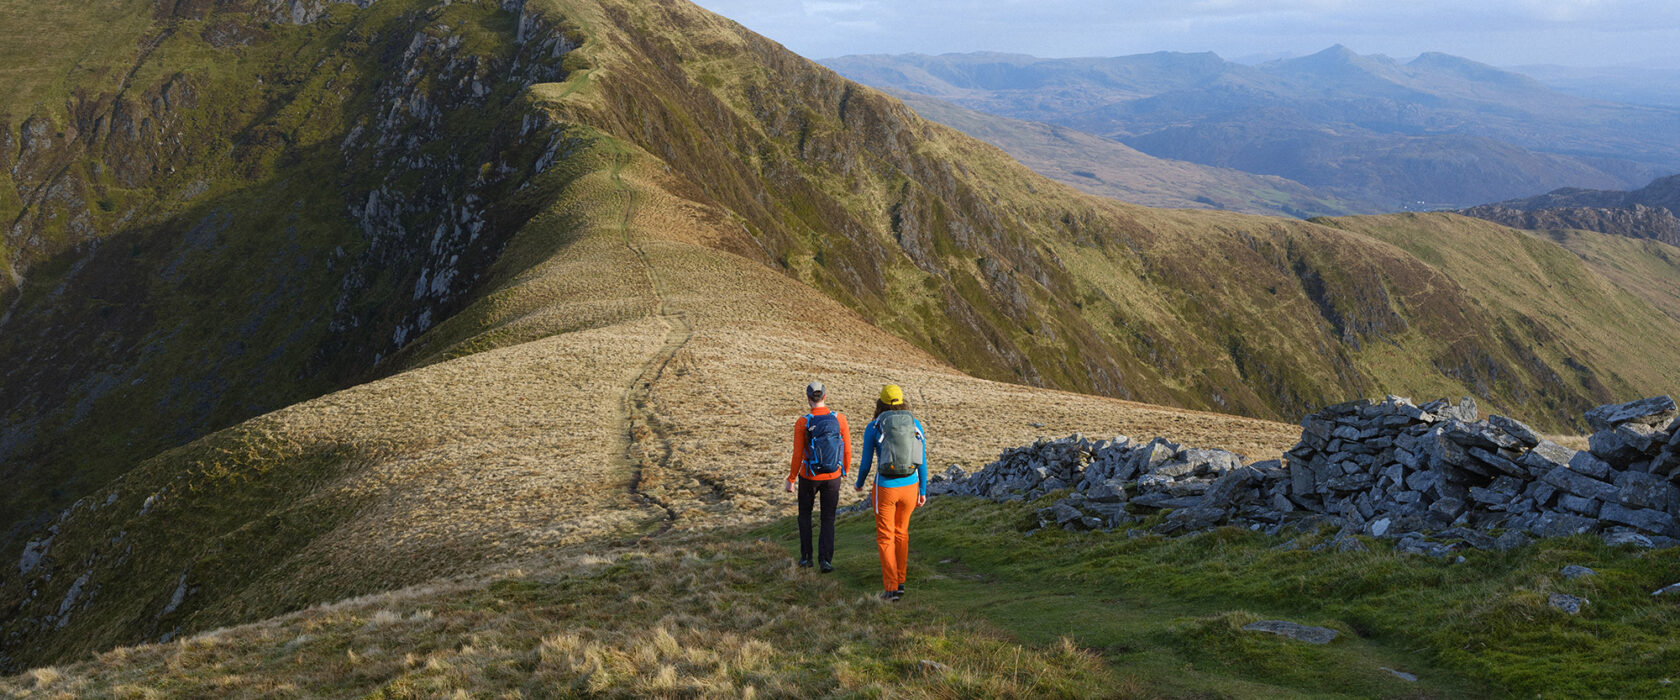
901 483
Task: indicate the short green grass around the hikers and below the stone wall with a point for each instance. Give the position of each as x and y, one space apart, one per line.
1167 614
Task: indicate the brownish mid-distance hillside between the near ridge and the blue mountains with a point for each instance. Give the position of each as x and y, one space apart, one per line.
1110 169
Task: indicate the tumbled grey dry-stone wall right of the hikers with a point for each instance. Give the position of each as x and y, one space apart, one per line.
1389 469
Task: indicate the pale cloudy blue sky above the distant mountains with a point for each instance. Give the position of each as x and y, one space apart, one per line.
1501 33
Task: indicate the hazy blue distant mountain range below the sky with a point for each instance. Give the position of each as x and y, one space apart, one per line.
1437 132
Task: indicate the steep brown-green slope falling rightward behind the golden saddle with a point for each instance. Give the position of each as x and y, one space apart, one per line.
963 253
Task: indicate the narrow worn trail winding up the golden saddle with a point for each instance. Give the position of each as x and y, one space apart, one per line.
646 436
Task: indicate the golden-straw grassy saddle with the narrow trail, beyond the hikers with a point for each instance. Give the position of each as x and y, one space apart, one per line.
658 397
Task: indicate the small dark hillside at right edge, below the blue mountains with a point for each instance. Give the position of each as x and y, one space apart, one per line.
1651 212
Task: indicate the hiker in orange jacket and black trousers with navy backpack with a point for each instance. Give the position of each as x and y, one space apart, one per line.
822 449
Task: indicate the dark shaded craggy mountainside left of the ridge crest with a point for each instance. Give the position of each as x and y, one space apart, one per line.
273 201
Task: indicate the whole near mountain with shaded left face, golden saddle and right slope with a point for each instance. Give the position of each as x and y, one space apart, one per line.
585 296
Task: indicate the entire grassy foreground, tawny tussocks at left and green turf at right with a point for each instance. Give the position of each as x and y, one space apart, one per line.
990 612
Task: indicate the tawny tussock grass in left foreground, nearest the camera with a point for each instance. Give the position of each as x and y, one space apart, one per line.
705 620
